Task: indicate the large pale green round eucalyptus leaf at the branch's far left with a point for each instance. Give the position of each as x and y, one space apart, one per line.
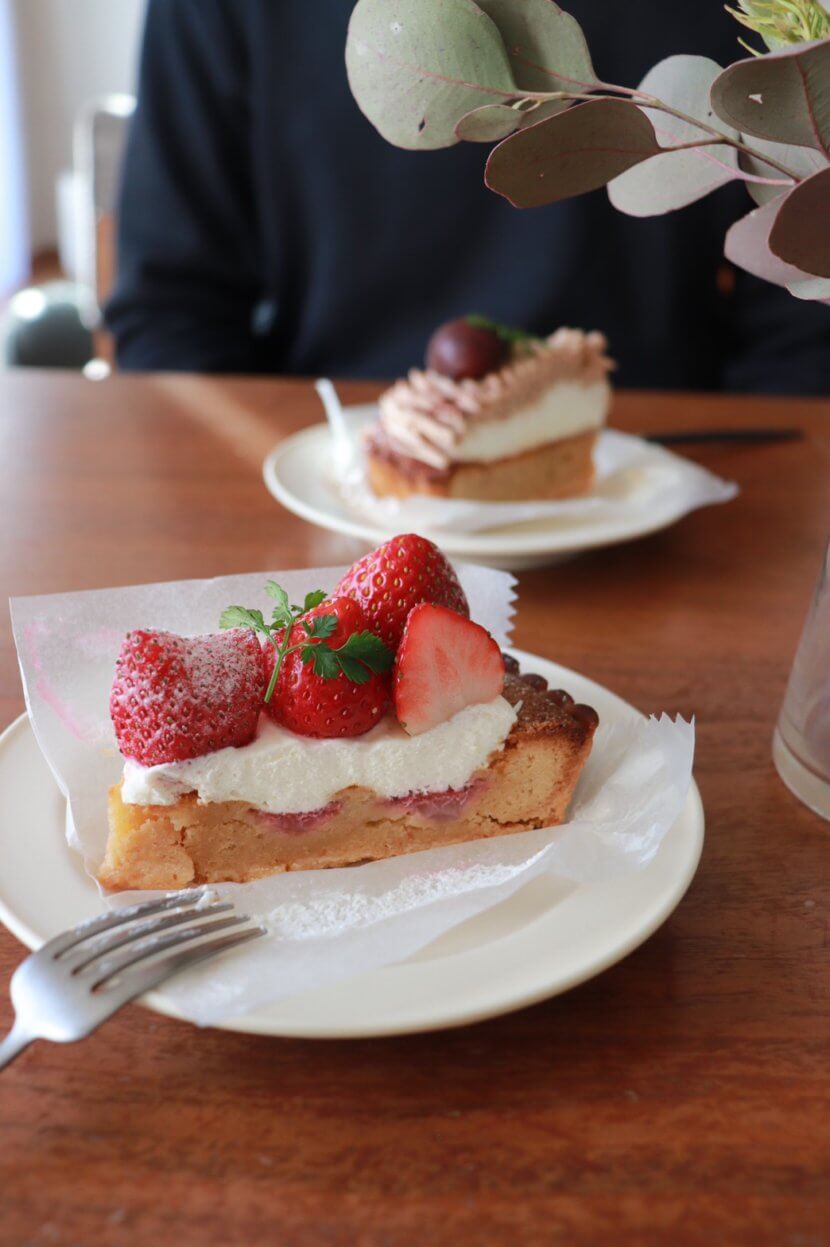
417 67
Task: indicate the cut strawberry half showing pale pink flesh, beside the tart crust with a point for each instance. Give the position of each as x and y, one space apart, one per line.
444 664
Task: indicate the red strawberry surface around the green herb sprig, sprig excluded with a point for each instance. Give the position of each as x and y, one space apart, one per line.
313 705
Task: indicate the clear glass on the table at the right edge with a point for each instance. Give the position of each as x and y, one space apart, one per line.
802 740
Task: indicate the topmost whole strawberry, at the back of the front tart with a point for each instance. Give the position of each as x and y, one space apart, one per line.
397 577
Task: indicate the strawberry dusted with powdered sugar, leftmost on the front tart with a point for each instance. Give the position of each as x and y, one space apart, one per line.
176 698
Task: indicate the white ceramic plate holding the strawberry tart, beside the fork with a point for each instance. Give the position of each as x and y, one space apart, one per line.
545 940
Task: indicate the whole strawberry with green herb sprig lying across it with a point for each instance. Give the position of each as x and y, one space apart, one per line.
325 686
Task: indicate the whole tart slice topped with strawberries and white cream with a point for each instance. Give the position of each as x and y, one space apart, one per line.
377 721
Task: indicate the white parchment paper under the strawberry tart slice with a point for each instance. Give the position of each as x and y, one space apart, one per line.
328 926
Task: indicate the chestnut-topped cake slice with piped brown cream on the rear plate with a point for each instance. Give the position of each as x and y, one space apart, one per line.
497 416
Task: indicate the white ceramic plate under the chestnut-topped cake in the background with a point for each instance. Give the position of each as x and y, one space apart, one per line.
298 473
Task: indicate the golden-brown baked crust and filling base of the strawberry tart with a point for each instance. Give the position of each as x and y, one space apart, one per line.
528 785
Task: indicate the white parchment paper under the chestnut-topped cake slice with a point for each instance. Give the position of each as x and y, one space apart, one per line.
636 479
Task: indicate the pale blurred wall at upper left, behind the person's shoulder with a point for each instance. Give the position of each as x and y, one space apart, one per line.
70 52
